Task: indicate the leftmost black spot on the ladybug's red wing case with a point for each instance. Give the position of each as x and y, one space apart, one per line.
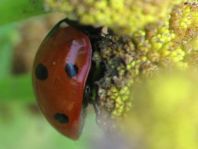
41 72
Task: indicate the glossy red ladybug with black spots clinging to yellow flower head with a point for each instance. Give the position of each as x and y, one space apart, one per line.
60 76
